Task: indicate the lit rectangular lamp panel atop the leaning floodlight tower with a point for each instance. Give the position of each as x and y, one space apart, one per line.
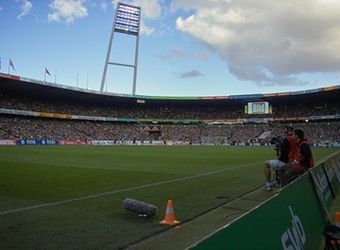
127 19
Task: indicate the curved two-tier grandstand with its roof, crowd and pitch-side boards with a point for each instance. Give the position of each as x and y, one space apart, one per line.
92 117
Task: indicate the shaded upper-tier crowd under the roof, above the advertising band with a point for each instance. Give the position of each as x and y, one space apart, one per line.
201 112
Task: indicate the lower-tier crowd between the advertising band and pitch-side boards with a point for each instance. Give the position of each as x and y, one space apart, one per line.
16 127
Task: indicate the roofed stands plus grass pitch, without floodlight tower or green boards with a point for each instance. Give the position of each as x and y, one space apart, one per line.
186 149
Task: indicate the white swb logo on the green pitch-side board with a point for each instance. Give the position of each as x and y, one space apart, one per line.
294 238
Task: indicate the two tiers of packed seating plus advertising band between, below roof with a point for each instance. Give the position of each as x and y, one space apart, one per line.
25 115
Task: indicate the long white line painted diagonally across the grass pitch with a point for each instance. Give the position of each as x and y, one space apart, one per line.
93 196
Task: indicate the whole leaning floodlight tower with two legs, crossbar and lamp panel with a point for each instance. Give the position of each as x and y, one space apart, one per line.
126 21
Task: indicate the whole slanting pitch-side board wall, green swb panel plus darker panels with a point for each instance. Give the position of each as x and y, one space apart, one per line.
292 219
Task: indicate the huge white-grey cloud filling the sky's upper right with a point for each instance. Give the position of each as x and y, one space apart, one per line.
268 42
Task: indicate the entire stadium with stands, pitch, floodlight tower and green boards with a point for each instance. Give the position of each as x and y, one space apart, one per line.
86 169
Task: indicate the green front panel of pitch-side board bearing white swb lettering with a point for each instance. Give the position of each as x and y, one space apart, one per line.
283 222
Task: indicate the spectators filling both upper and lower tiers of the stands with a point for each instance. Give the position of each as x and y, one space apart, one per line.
26 127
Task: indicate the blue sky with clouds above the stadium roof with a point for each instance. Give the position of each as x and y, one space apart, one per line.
186 47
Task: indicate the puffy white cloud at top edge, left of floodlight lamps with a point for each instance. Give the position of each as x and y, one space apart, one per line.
66 10
